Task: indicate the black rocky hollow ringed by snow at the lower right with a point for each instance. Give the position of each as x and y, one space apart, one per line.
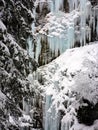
87 114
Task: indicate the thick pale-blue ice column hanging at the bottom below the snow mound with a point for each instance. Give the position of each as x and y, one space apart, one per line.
52 118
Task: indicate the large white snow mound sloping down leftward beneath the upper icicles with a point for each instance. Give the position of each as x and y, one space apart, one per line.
76 69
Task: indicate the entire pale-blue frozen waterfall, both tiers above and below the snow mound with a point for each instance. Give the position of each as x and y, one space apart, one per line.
60 30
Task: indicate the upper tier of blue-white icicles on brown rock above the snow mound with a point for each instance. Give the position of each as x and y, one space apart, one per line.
62 29
